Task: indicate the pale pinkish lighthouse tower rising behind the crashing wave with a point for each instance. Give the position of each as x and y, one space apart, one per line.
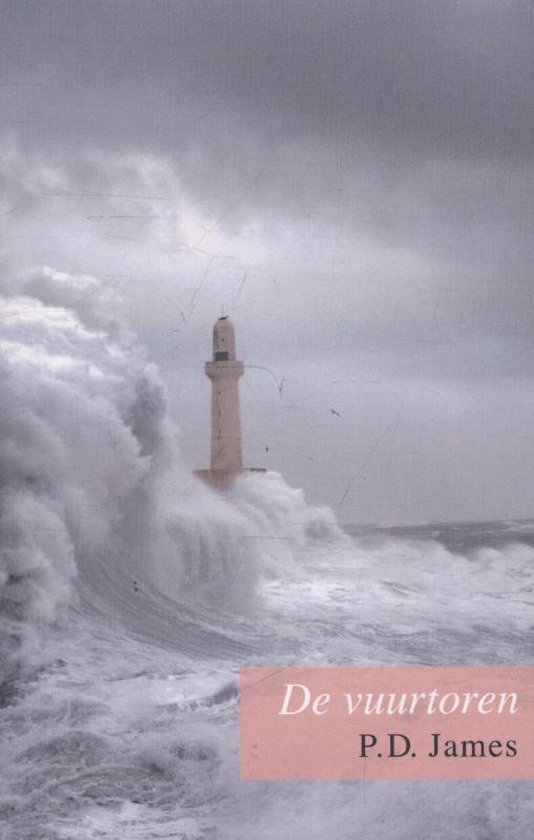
225 372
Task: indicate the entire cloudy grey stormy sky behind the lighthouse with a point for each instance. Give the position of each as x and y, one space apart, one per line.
352 181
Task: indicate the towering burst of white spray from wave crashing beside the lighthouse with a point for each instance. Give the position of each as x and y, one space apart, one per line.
97 505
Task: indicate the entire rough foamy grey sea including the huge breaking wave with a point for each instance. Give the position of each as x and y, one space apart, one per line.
131 594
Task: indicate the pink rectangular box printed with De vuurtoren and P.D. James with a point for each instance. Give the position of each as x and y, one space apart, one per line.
395 723
